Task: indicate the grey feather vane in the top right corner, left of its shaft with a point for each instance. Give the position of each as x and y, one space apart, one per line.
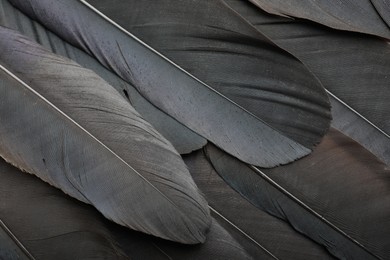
357 16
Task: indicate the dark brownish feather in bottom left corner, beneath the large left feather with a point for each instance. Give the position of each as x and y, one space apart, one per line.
44 223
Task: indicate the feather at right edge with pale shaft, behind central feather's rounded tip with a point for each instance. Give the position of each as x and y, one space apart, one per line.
354 69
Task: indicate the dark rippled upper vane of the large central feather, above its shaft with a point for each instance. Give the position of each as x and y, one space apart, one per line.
215 46
